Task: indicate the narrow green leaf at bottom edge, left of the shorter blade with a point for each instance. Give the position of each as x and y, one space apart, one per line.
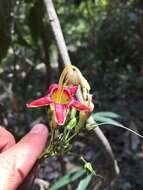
69 178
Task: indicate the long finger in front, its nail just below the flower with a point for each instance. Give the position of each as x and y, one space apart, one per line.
24 154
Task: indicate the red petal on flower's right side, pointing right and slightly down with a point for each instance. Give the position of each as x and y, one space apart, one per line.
76 104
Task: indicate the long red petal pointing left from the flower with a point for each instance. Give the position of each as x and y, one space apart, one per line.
44 101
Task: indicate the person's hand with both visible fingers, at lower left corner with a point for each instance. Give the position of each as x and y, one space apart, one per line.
17 159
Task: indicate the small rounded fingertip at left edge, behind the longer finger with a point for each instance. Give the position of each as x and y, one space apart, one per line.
6 139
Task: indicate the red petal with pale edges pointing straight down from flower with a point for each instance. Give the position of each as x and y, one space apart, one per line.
60 113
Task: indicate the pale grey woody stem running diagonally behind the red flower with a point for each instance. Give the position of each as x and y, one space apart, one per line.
113 169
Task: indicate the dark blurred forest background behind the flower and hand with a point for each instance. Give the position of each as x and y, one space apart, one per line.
105 40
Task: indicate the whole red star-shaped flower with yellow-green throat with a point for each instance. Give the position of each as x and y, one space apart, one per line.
60 99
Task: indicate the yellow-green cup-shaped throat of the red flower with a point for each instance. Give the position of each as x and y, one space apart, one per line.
60 96
